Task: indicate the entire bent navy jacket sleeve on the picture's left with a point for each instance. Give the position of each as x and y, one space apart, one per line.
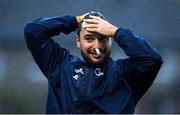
46 52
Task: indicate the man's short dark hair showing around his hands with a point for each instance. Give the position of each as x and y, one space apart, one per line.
87 16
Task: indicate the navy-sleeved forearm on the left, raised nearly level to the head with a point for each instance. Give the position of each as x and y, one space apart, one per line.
46 28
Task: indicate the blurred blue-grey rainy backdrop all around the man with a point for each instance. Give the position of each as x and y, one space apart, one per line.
23 88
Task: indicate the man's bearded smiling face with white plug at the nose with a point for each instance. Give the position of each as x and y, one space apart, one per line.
95 48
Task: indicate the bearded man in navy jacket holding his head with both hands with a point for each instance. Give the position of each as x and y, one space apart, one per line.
96 84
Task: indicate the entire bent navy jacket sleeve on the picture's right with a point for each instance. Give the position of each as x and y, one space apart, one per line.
143 62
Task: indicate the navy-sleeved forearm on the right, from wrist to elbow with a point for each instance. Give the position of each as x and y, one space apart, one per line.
133 46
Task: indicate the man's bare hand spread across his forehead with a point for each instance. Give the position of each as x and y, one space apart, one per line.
97 24
